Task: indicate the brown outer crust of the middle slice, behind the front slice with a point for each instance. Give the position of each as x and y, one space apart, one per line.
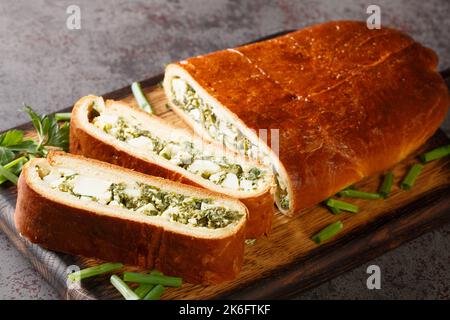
83 142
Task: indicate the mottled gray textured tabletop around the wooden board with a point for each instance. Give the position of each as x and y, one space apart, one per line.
49 67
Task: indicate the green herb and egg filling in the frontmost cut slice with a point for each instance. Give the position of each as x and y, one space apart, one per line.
141 198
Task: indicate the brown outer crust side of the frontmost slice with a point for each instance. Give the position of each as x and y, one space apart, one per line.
61 227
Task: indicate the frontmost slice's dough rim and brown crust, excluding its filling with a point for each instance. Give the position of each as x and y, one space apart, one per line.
67 224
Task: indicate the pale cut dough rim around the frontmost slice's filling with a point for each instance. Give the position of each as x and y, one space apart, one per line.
101 170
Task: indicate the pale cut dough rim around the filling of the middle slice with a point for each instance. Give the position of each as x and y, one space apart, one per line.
80 120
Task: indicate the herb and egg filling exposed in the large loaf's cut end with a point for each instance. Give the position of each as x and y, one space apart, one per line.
223 131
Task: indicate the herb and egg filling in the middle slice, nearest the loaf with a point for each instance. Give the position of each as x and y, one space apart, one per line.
219 170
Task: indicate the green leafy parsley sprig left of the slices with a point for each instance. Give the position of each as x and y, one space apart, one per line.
16 149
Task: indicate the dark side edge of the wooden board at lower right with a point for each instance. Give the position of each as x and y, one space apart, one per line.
427 213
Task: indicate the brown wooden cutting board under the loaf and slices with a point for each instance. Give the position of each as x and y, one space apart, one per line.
287 262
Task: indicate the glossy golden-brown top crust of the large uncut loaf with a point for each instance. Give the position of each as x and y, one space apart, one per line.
348 101
